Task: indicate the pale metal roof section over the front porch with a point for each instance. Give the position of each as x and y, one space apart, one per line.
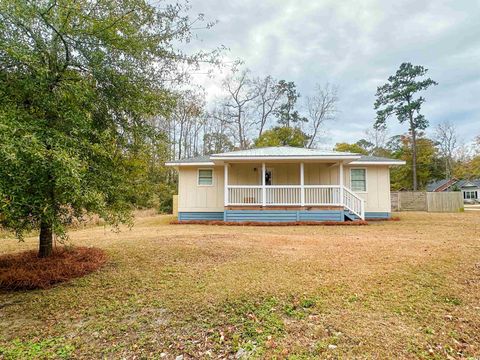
283 151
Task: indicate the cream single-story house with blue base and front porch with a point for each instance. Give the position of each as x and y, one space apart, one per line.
284 184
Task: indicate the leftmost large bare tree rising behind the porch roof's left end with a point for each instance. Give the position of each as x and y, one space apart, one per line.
239 101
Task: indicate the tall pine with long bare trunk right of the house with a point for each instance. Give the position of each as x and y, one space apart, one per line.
397 97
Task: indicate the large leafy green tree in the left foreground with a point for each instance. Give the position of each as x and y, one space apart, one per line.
79 81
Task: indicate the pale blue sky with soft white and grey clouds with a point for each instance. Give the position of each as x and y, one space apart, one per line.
356 45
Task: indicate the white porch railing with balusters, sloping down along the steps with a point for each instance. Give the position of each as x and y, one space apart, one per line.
291 195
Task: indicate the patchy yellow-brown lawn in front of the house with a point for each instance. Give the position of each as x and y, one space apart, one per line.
408 288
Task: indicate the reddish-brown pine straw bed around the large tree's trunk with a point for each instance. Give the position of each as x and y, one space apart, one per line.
26 271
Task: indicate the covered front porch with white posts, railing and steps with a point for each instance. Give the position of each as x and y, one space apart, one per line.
299 186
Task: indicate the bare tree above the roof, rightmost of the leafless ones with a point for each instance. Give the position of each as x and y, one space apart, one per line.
321 107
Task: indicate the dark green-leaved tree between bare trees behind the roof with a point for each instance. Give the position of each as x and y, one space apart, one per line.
286 112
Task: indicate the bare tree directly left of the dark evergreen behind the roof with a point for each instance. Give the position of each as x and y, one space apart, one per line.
267 100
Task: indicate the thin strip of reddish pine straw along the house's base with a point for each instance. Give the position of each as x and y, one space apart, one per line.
264 223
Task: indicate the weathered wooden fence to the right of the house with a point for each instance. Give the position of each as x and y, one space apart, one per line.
427 201
